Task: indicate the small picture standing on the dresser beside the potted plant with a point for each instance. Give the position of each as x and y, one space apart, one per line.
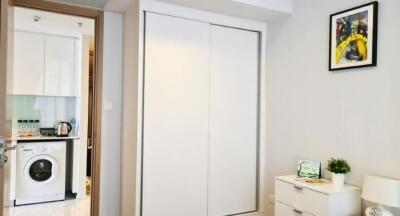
309 169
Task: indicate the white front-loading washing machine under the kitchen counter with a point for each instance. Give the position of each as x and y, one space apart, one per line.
40 172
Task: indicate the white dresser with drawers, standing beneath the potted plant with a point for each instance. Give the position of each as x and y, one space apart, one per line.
295 198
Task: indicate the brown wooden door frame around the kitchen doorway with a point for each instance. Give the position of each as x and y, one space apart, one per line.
98 16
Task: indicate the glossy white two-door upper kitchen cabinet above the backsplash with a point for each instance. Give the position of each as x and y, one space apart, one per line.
44 64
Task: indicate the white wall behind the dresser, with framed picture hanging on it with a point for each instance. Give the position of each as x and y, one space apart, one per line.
317 114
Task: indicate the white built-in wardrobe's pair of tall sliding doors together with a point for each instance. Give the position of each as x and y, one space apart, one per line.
200 119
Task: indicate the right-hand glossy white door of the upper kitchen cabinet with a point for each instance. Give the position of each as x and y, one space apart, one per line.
59 66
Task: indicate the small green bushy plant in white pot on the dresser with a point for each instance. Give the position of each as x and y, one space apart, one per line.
339 168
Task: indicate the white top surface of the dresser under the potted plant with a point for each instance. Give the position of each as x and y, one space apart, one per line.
326 188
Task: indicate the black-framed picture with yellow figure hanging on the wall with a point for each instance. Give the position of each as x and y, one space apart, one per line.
353 37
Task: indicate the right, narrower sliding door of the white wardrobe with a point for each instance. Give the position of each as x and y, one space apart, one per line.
233 128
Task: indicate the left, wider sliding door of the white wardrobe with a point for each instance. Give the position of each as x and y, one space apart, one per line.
175 136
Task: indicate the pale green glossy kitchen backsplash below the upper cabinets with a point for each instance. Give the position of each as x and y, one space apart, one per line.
48 110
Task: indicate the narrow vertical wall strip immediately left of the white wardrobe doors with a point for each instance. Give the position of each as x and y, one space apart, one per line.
129 110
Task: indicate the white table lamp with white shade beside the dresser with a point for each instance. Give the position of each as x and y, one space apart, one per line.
384 192
